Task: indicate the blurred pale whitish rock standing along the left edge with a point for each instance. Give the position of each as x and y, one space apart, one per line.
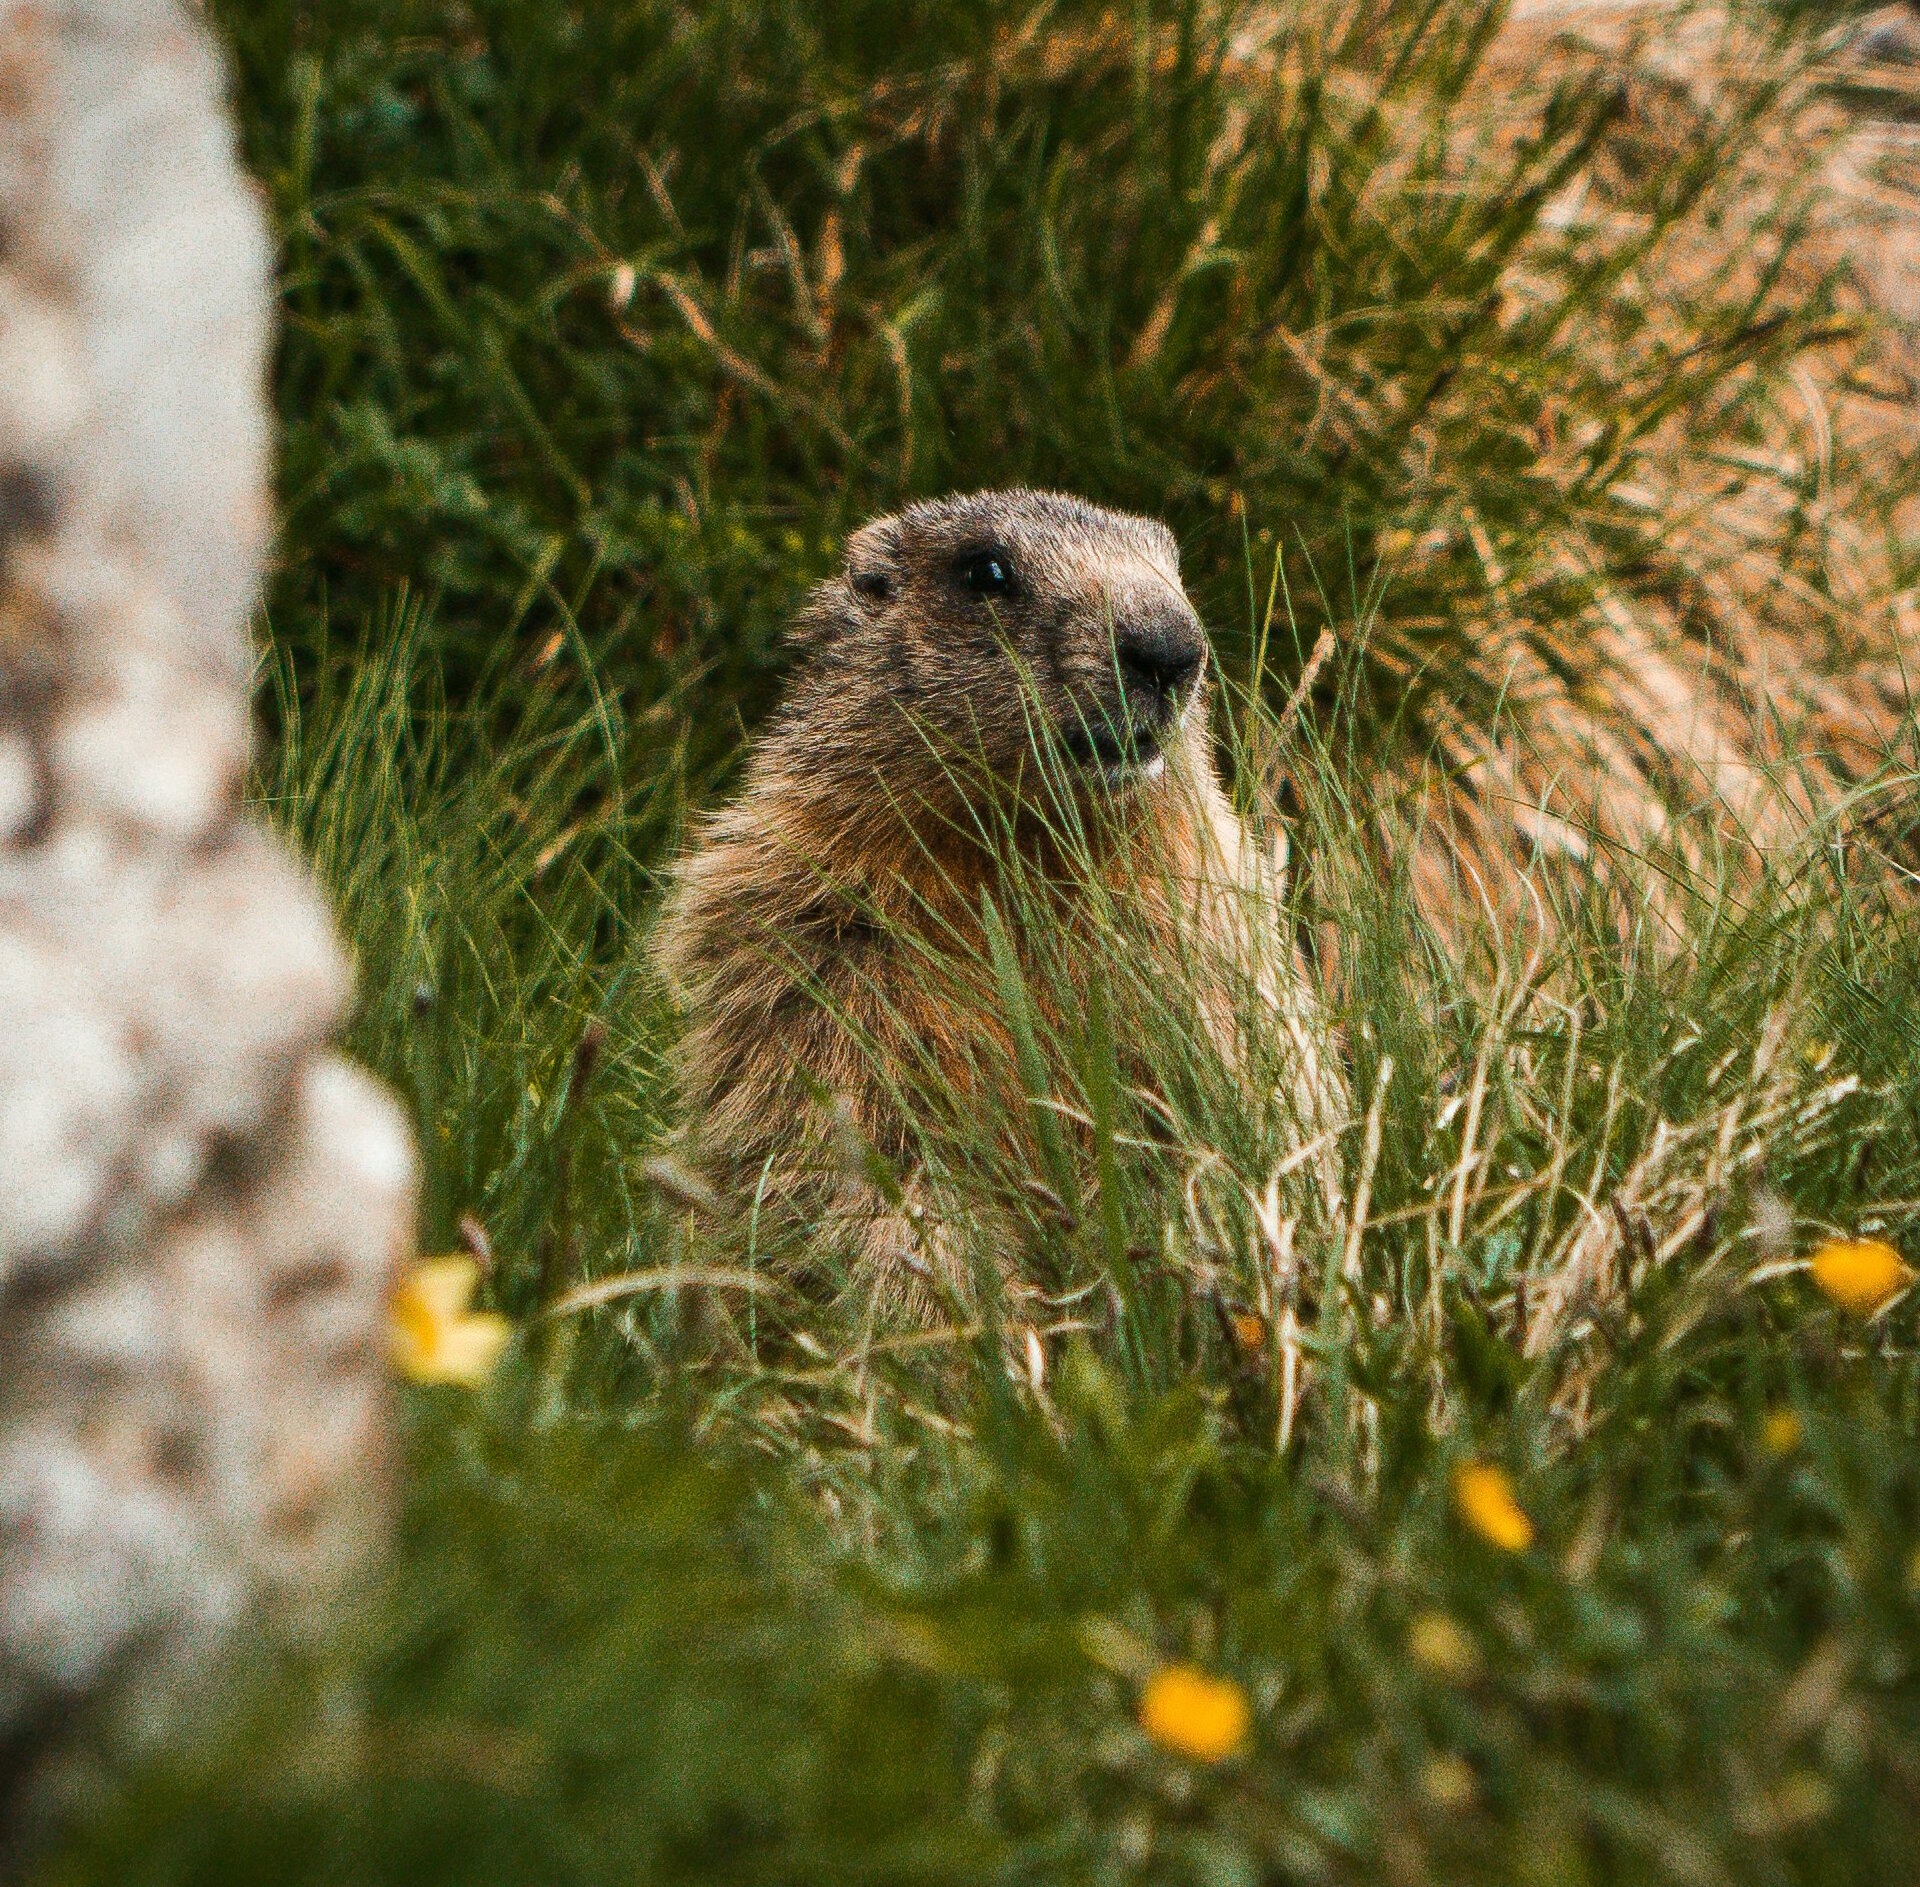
201 1208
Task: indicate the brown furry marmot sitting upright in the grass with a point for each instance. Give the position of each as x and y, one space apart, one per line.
965 642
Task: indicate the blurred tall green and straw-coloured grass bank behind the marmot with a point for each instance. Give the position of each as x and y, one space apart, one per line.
608 322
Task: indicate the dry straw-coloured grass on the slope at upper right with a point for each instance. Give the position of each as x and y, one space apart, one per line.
1748 667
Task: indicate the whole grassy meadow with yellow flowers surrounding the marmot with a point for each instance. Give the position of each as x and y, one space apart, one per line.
1504 1498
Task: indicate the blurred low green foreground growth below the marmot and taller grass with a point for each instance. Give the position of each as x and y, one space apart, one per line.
600 1661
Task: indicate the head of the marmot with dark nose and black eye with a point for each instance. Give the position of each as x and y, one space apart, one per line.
1015 617
